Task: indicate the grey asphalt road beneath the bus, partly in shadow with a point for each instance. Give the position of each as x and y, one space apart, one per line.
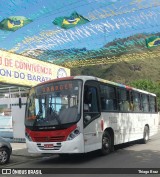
130 155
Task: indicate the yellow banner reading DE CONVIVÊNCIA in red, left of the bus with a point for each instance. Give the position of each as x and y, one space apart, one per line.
21 70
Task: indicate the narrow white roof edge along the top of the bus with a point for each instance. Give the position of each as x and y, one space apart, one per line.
85 78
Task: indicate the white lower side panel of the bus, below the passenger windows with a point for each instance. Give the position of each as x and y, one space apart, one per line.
127 126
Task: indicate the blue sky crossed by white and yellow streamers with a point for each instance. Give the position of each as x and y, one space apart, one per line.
108 20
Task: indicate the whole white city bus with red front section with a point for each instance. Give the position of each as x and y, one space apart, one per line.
84 113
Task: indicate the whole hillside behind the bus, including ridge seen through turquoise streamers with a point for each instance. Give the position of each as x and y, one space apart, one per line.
130 61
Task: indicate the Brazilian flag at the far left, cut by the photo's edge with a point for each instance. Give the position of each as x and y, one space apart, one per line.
13 23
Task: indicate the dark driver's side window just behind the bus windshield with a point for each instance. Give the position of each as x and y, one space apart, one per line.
91 108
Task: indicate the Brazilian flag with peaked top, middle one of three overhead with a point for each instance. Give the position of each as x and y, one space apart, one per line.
70 22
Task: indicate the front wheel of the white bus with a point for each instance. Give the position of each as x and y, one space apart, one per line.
106 143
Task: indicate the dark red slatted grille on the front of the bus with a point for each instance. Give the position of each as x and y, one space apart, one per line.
49 139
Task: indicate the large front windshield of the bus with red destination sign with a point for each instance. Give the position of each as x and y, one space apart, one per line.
54 104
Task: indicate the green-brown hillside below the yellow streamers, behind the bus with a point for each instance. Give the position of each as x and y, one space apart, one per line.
124 71
